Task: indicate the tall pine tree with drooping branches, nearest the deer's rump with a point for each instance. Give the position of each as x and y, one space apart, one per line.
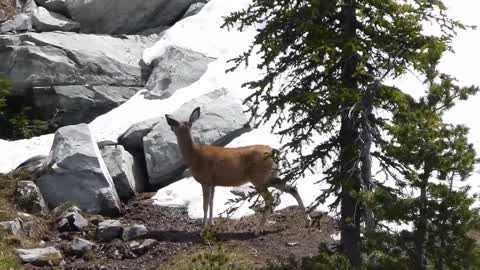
334 56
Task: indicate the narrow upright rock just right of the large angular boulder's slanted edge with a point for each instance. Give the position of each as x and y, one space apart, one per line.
126 174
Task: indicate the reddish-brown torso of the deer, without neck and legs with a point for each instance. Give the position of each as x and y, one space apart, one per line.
221 166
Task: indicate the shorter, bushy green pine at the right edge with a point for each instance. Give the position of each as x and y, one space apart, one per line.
429 150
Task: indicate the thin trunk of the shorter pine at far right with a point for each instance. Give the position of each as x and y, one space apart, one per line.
421 235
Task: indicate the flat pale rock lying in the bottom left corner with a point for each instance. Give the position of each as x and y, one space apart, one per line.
48 256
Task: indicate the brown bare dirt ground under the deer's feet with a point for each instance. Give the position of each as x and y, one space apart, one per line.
179 235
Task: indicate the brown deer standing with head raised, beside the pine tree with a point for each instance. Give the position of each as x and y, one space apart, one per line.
218 166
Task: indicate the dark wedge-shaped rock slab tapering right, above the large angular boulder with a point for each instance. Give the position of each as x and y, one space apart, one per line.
74 104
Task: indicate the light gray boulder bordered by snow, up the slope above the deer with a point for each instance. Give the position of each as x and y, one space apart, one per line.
175 69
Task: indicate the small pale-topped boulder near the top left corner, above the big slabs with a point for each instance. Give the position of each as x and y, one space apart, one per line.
44 21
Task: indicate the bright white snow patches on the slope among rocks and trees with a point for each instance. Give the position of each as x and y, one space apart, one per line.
202 33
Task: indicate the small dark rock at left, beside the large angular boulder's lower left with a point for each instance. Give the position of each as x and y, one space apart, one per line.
29 198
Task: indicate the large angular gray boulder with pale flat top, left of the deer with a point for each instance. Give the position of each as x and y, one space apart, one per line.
77 173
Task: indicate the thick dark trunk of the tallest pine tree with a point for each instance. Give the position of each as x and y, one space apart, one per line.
349 177
